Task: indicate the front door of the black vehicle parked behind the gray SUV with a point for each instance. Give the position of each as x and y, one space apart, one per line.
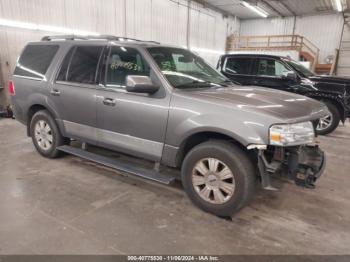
271 73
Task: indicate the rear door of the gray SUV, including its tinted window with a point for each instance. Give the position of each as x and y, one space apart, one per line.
73 92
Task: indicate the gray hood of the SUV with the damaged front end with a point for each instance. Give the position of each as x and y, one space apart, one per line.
287 107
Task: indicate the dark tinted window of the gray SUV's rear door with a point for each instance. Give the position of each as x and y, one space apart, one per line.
80 65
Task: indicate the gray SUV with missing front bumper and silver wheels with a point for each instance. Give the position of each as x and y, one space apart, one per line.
165 105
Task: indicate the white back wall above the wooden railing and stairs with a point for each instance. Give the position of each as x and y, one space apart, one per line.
324 31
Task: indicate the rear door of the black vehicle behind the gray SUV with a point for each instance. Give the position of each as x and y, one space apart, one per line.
239 69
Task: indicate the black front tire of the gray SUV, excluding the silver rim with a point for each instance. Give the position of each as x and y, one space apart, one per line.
239 173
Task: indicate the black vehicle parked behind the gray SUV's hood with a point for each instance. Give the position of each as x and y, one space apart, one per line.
286 74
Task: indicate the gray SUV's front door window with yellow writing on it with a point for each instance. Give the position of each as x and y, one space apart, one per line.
124 61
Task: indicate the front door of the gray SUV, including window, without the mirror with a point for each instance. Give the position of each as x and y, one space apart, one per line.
131 123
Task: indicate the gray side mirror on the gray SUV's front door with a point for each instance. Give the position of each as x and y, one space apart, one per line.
140 84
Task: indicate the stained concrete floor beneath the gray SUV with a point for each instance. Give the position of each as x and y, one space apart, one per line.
71 206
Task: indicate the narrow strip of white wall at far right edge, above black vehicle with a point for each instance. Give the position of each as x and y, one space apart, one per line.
343 68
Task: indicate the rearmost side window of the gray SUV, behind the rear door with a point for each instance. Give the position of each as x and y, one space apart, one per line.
35 60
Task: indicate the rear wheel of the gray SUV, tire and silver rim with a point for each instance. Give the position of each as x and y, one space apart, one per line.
44 127
